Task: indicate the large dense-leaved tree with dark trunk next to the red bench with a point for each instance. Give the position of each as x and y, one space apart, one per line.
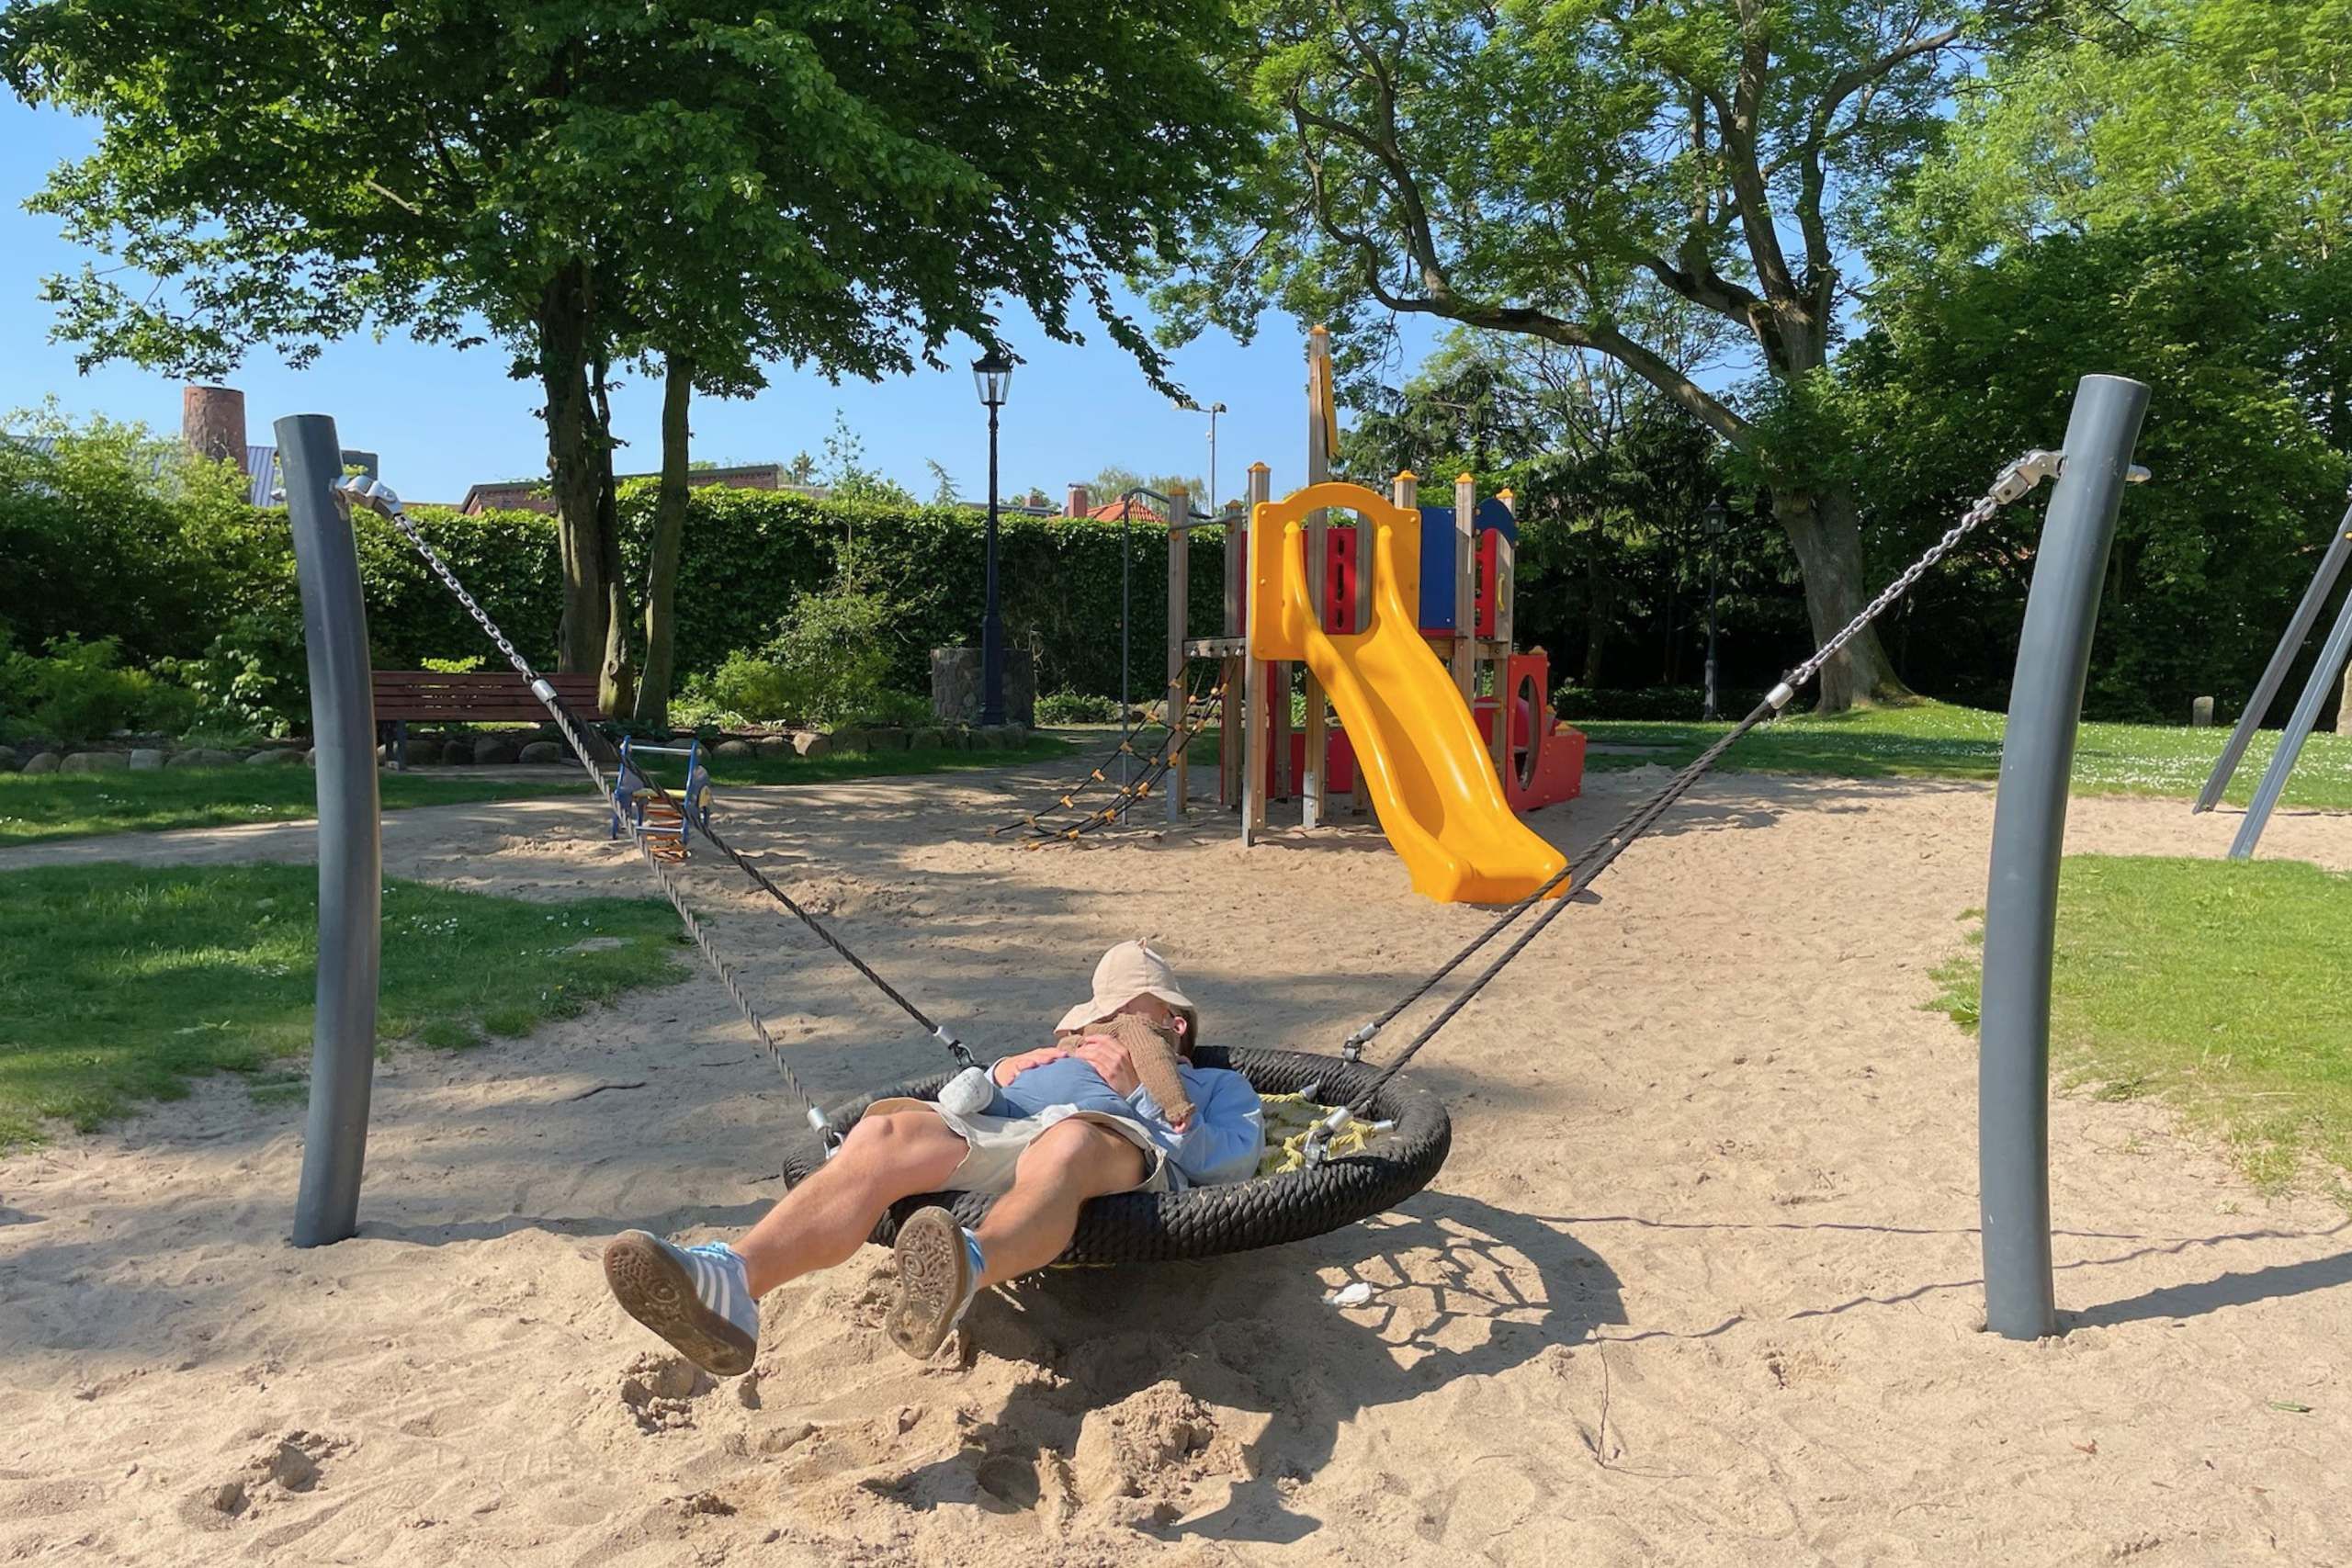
596 180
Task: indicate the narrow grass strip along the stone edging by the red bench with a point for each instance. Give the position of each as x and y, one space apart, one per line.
79 805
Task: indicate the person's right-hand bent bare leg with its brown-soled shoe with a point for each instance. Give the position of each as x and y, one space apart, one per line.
1024 1231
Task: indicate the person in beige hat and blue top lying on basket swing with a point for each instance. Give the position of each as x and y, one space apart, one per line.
1111 1106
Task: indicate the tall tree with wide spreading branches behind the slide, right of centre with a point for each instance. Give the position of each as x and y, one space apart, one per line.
1523 168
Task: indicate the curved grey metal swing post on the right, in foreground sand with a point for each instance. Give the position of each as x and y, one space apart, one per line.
2029 836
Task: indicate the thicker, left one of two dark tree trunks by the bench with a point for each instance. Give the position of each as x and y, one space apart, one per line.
575 467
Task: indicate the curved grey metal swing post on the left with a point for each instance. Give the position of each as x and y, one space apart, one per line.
349 850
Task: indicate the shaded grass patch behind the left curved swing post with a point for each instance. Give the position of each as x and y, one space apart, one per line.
119 981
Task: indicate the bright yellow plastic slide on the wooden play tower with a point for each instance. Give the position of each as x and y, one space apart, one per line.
1417 746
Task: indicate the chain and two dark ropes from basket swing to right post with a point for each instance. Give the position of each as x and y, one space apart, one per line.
2014 483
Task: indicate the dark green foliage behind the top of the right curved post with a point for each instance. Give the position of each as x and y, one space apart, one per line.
1972 363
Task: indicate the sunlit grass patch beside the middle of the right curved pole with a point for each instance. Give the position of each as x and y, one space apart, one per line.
2217 989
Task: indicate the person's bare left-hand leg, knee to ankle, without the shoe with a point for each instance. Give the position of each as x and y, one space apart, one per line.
829 1217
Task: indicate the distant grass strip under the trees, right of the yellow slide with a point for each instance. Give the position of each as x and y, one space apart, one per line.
1944 742
